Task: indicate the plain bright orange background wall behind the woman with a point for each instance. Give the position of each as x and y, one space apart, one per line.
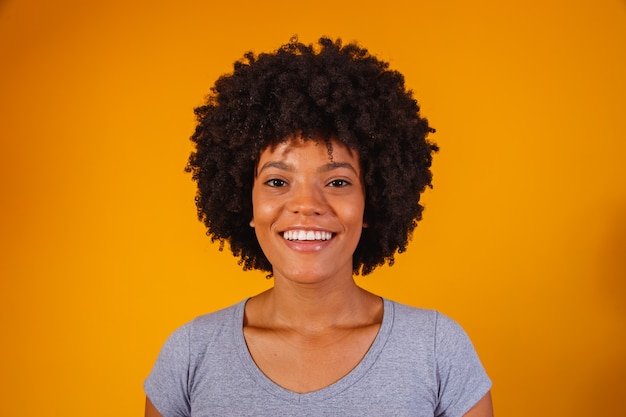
523 240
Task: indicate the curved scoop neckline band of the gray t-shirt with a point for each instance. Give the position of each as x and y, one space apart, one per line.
335 388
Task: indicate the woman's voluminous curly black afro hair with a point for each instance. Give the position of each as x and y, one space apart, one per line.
321 92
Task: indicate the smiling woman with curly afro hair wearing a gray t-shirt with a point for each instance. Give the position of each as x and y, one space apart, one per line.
310 162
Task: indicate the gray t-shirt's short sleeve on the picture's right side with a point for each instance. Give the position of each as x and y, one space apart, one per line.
461 376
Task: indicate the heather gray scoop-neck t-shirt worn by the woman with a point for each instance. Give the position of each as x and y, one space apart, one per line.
421 364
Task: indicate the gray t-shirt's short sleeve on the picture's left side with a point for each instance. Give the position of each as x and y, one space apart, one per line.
168 382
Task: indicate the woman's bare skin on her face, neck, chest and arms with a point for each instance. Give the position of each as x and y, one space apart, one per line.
315 318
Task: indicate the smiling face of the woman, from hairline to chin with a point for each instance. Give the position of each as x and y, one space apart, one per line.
308 206
